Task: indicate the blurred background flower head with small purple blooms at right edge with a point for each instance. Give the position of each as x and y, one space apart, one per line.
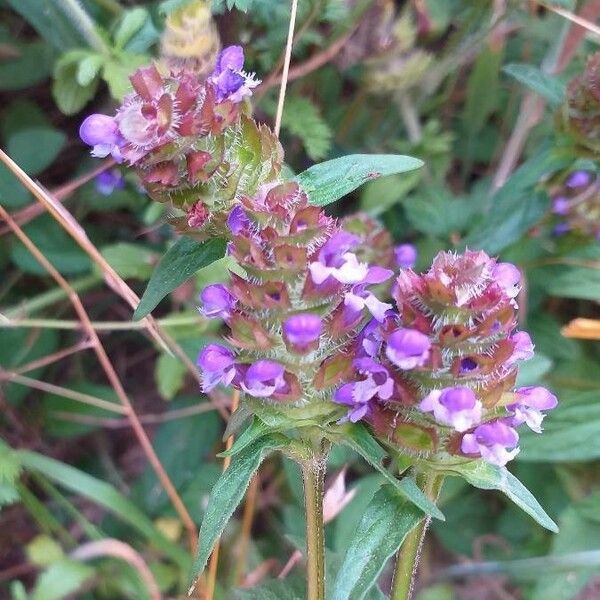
576 204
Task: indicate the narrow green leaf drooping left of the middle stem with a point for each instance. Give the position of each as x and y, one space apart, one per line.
227 494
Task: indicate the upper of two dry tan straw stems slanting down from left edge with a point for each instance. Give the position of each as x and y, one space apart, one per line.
112 278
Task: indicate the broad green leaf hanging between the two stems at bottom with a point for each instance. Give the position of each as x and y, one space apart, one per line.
385 524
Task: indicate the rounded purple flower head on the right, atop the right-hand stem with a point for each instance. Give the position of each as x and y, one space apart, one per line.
436 375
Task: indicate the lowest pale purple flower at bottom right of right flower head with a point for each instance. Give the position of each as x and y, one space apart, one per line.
496 442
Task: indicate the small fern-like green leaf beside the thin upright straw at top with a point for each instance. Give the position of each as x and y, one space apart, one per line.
303 119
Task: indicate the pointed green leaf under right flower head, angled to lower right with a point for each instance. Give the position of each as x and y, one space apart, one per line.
491 477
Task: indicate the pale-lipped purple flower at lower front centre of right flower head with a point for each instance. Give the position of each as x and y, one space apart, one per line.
457 407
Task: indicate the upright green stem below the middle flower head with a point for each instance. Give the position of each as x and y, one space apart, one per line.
313 475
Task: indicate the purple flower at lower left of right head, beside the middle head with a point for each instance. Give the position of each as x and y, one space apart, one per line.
376 382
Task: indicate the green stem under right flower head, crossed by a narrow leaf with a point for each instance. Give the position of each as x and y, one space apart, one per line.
407 560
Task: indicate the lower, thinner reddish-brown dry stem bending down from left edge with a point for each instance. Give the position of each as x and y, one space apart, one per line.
113 378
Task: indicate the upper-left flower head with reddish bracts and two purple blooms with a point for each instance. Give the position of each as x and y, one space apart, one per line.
189 138
